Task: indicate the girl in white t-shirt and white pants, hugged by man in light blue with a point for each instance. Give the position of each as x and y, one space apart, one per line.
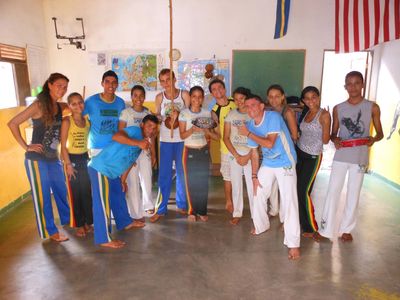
239 158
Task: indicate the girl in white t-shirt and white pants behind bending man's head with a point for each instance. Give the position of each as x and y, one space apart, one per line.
141 173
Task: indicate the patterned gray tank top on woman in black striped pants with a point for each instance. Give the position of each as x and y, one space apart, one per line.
310 140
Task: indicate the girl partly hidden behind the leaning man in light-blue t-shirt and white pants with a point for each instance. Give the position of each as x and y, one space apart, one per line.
277 101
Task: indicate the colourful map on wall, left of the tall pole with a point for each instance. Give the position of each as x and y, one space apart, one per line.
133 69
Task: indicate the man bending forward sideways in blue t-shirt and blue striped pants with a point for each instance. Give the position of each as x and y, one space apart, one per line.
108 172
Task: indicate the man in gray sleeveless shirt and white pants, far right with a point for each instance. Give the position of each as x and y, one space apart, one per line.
351 119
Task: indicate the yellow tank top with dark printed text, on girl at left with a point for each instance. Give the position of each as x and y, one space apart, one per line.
77 137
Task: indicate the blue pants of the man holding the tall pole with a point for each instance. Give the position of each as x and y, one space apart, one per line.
170 152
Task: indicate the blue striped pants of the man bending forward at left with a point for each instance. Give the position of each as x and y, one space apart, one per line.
107 197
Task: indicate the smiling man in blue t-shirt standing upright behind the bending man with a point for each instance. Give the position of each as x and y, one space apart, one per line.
103 110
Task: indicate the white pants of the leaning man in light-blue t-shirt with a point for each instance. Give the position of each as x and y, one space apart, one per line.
287 182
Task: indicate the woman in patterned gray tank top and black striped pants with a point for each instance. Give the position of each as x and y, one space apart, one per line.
315 131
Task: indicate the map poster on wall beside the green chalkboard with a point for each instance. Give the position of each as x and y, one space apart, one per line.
191 73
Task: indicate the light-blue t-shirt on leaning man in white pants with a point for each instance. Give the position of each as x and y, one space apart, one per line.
282 154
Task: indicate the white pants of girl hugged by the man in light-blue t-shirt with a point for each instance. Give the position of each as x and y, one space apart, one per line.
237 172
